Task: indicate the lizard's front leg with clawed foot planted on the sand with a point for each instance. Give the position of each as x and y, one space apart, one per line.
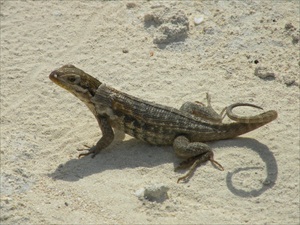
105 140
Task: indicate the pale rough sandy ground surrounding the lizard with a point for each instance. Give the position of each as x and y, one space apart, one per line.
242 51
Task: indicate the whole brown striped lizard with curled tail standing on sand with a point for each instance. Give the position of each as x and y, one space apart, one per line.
186 129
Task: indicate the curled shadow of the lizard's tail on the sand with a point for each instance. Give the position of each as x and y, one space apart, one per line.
267 157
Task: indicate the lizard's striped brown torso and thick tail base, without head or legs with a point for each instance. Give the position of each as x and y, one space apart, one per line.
160 125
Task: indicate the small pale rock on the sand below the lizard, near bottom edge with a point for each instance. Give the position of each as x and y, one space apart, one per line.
154 192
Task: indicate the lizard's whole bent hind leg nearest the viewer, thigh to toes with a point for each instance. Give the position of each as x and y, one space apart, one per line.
196 154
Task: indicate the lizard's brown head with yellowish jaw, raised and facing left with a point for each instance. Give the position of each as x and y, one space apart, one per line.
76 81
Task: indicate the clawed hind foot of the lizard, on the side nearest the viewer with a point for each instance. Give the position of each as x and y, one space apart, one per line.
194 162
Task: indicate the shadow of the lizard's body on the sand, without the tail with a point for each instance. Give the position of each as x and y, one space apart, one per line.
130 153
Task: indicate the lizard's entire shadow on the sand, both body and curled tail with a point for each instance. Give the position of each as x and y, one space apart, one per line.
133 153
